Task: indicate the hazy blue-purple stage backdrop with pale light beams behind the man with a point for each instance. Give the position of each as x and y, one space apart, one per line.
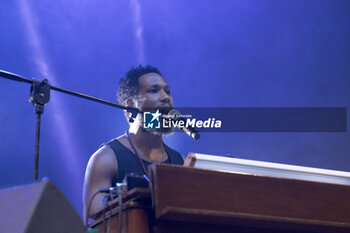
227 53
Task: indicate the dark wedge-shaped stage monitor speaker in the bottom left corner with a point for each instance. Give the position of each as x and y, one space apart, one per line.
37 208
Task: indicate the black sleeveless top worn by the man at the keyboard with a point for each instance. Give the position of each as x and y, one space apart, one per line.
129 163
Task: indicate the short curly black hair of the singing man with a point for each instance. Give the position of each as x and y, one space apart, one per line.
129 85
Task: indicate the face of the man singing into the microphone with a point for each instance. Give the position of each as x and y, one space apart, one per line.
154 93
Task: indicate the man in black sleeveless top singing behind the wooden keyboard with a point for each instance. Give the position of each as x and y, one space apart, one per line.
142 88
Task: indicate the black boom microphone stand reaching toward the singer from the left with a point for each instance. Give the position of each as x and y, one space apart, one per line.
40 95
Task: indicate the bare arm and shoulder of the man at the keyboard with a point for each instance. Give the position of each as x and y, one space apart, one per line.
101 169
